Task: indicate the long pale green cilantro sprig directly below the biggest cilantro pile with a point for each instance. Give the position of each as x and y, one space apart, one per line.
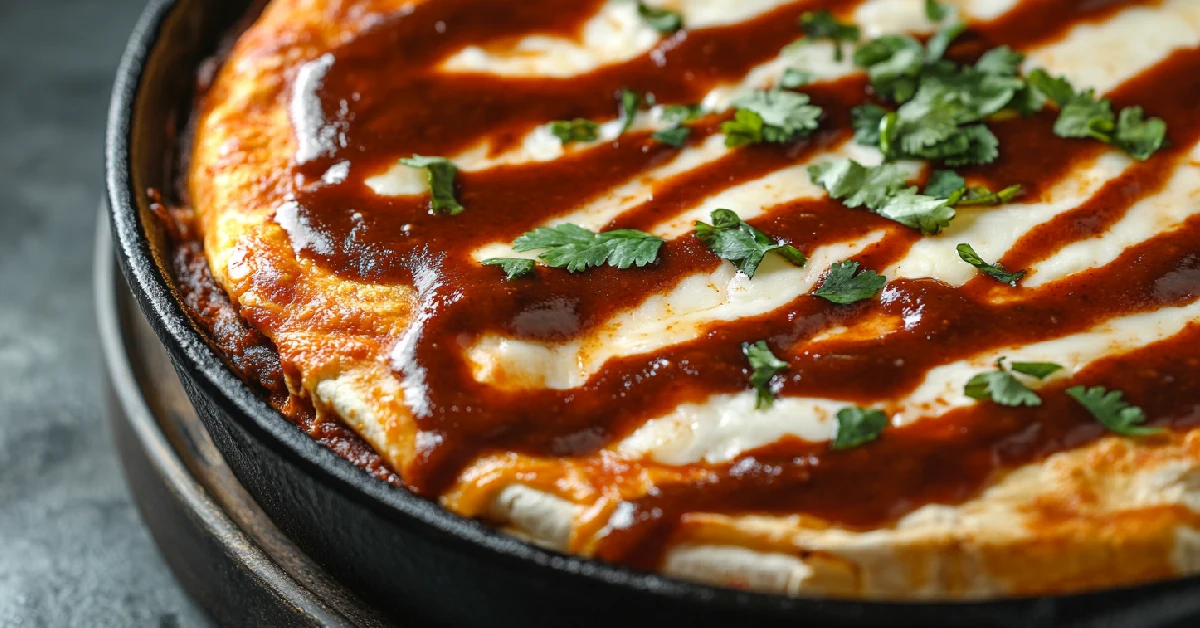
883 189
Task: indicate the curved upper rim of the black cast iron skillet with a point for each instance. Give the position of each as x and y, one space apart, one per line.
157 298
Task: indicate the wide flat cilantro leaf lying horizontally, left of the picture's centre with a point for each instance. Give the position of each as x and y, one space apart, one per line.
578 249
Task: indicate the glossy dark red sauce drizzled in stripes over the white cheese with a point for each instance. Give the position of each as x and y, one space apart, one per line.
393 103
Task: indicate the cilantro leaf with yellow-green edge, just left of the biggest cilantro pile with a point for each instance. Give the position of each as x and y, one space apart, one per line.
770 117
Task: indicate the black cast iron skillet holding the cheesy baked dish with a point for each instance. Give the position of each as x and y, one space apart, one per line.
415 560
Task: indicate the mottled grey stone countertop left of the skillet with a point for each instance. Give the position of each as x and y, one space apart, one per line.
75 552
